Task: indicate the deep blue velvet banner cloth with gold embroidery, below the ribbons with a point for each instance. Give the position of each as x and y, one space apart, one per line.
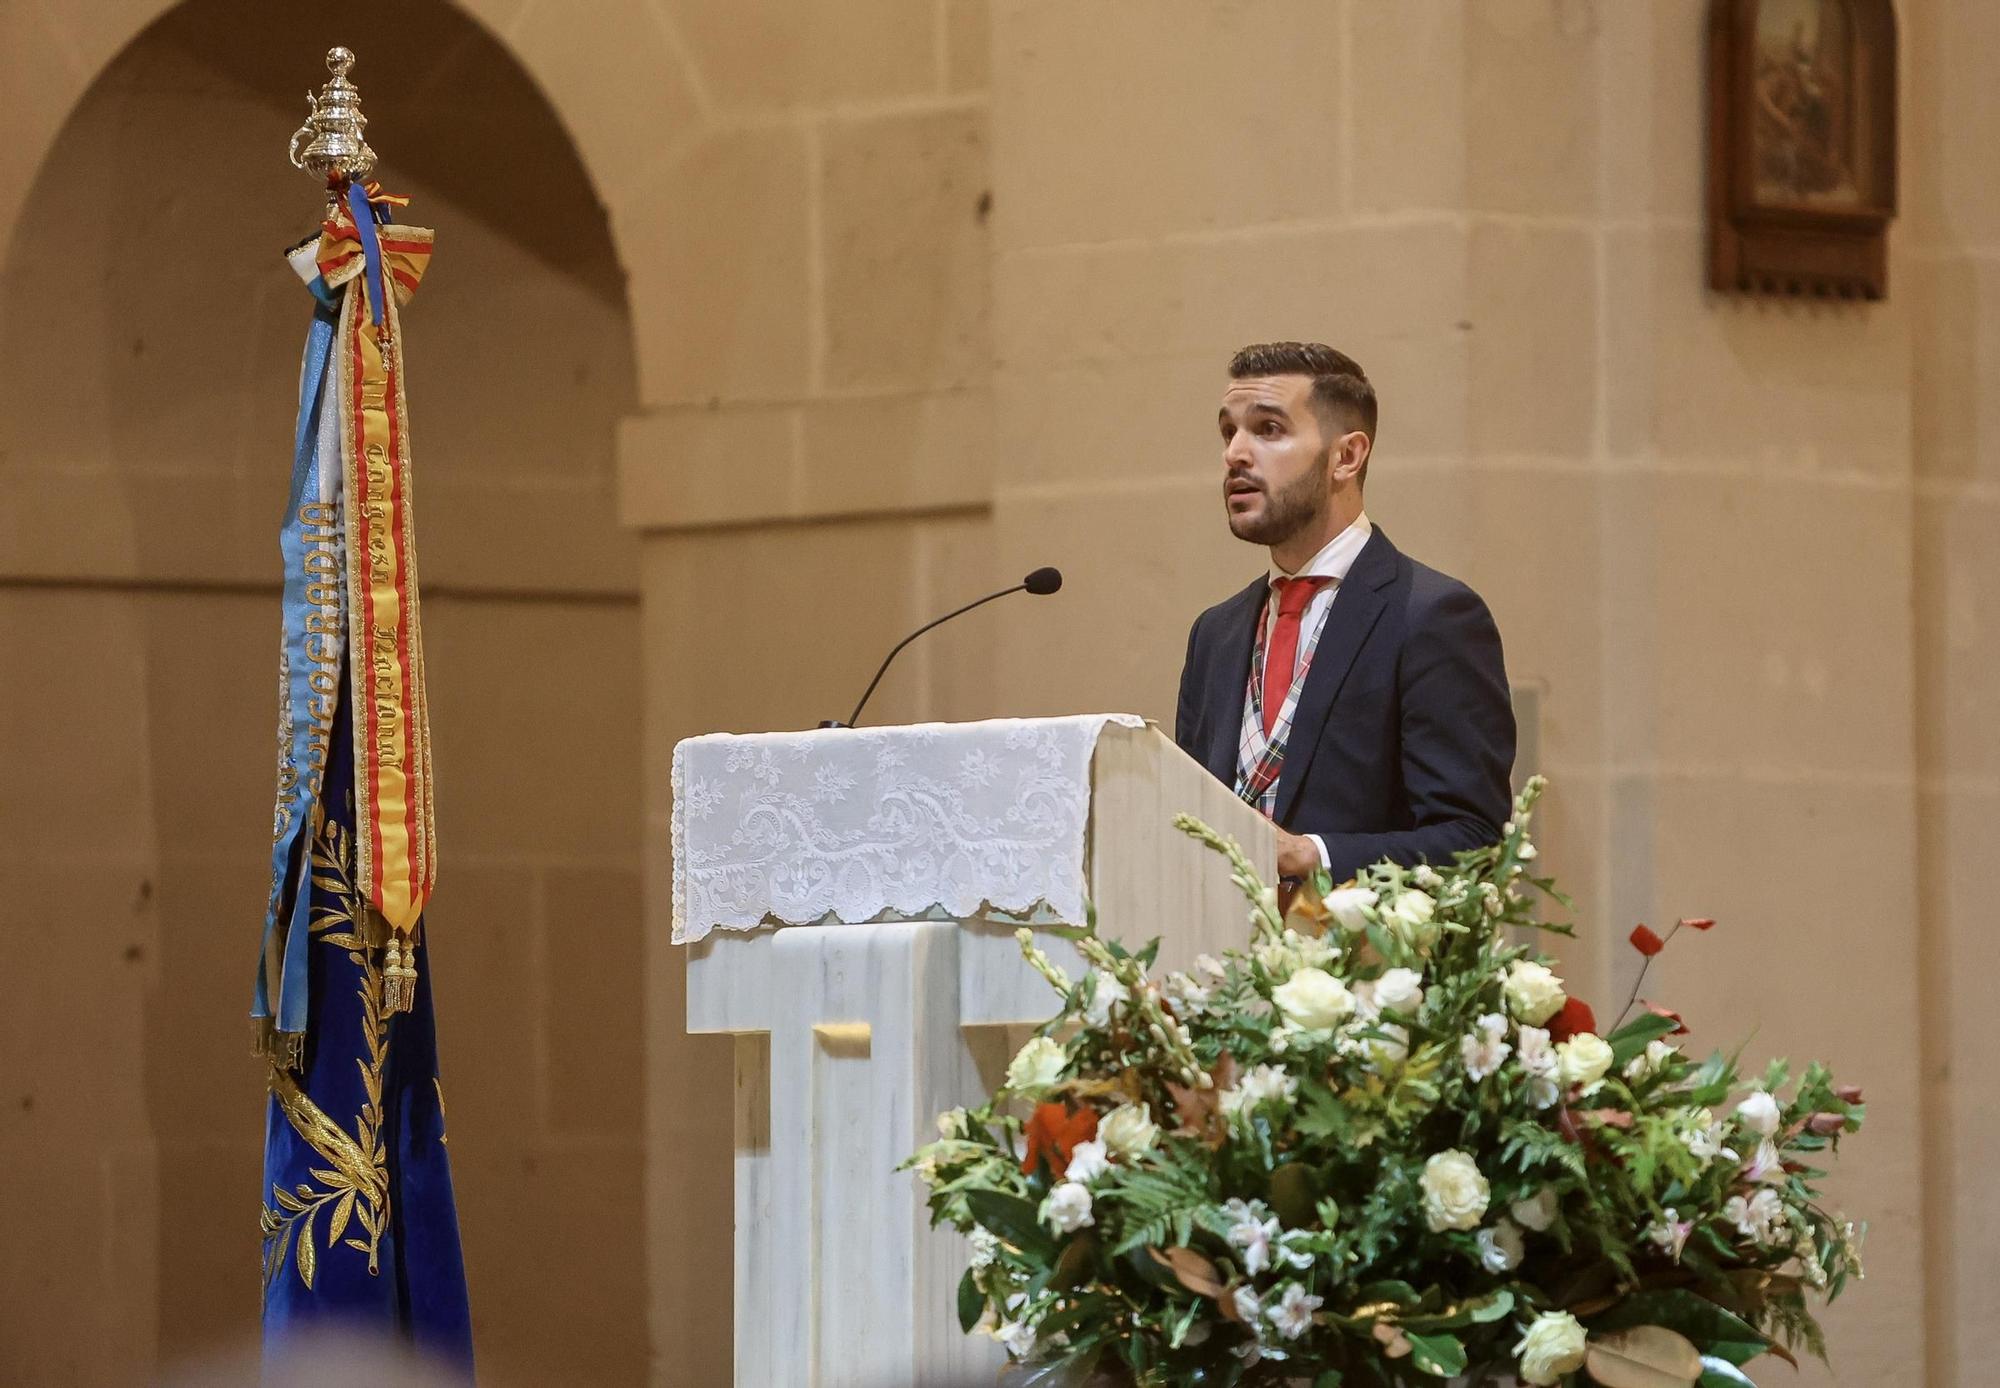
361 1231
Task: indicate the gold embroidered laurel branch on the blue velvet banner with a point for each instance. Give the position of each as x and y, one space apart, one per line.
353 1185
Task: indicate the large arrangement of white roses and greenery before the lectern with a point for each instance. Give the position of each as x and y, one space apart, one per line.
1383 1147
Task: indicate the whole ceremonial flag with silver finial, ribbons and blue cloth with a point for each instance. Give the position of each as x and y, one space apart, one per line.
361 1231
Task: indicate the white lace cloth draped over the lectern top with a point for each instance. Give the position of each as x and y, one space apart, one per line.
883 823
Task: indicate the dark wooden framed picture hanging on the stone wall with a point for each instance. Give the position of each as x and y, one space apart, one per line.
1801 147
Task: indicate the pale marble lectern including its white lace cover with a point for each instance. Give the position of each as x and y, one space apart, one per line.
851 901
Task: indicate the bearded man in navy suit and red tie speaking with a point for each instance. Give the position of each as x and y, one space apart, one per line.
1353 695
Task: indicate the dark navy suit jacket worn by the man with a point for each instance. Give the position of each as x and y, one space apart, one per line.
1405 733
